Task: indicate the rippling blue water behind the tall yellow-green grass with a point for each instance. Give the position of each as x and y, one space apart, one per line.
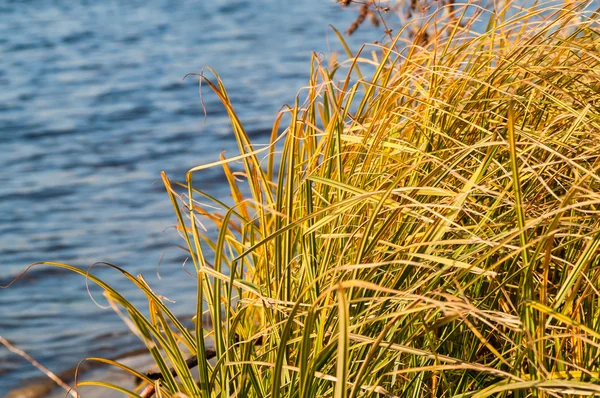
92 108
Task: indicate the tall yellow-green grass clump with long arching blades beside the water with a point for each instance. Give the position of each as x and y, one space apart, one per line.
426 226
